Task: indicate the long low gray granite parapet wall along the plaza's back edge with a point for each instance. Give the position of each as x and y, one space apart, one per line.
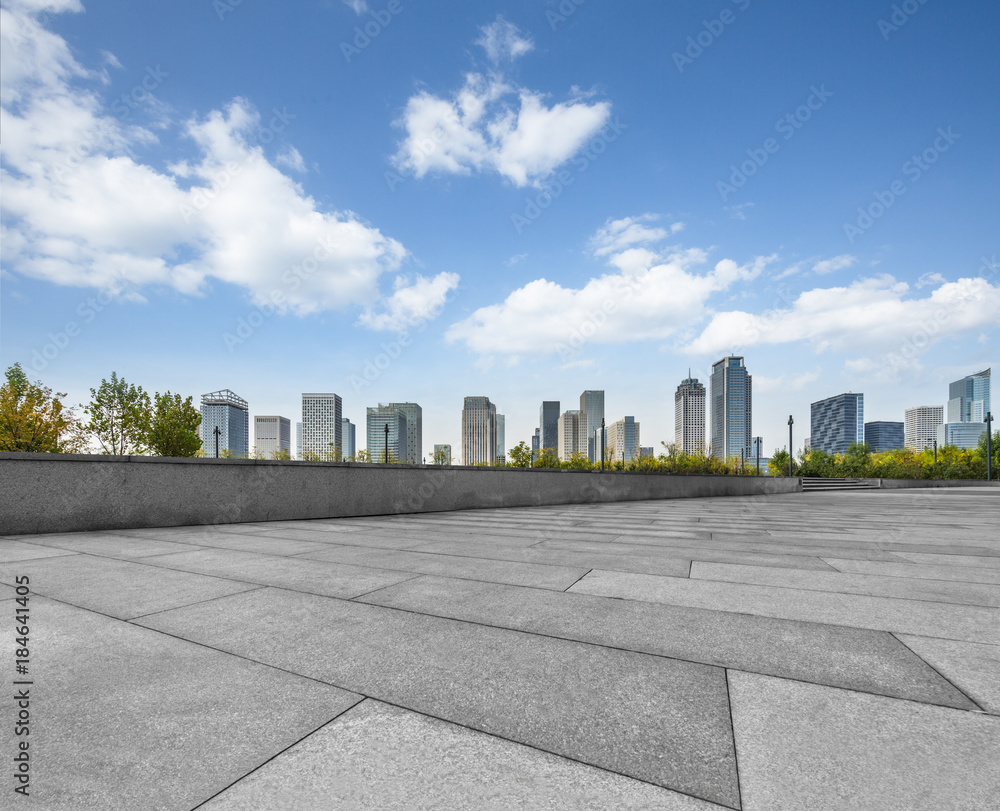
66 493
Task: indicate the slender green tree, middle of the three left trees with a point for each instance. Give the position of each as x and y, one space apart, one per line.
119 416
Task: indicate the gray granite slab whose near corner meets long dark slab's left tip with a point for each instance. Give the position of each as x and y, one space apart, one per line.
313 576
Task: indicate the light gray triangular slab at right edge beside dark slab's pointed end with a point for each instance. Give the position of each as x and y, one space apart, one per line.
972 666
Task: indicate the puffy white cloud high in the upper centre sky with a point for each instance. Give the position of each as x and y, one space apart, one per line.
490 125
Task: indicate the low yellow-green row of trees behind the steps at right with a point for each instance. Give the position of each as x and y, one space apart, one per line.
859 462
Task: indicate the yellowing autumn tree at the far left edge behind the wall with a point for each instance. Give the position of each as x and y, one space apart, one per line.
33 419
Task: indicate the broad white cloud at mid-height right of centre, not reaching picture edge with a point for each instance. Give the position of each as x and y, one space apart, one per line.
647 296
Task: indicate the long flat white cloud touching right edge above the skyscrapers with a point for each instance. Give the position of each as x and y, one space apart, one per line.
870 314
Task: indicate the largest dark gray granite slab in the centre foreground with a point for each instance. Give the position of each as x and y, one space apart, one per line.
658 720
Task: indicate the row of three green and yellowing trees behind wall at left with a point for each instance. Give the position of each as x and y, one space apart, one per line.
121 417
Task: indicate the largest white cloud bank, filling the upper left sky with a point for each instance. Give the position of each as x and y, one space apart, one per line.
80 209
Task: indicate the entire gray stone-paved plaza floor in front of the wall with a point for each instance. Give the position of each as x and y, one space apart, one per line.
805 651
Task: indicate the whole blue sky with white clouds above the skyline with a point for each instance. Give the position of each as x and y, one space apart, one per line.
522 200
